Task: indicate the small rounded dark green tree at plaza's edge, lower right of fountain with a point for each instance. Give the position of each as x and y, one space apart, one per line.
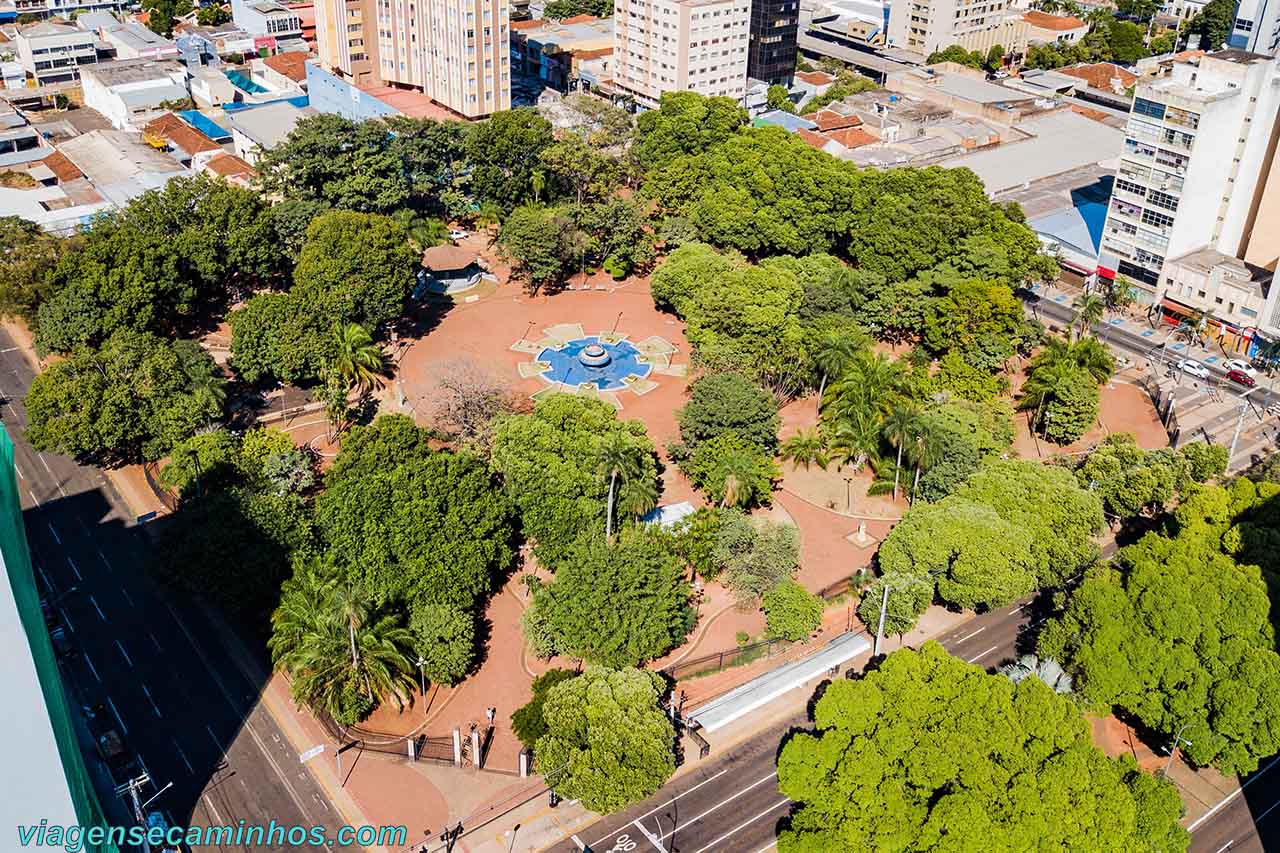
728 403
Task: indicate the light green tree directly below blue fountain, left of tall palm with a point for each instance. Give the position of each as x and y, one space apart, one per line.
550 463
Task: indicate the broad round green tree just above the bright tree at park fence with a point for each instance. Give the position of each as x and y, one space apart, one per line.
619 605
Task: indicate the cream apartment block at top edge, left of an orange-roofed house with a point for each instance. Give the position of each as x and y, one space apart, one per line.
926 26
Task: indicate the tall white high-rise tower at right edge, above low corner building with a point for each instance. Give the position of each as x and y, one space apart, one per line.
1197 158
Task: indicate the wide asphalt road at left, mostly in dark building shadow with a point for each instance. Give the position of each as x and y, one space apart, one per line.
182 704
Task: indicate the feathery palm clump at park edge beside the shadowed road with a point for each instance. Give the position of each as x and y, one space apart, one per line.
344 658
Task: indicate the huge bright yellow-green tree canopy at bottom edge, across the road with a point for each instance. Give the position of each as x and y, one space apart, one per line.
973 763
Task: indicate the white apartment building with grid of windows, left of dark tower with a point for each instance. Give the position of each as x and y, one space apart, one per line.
680 45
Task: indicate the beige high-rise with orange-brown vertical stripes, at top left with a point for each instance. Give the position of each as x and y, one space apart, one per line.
455 52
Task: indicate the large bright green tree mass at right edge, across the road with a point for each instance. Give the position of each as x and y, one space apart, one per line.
1178 631
